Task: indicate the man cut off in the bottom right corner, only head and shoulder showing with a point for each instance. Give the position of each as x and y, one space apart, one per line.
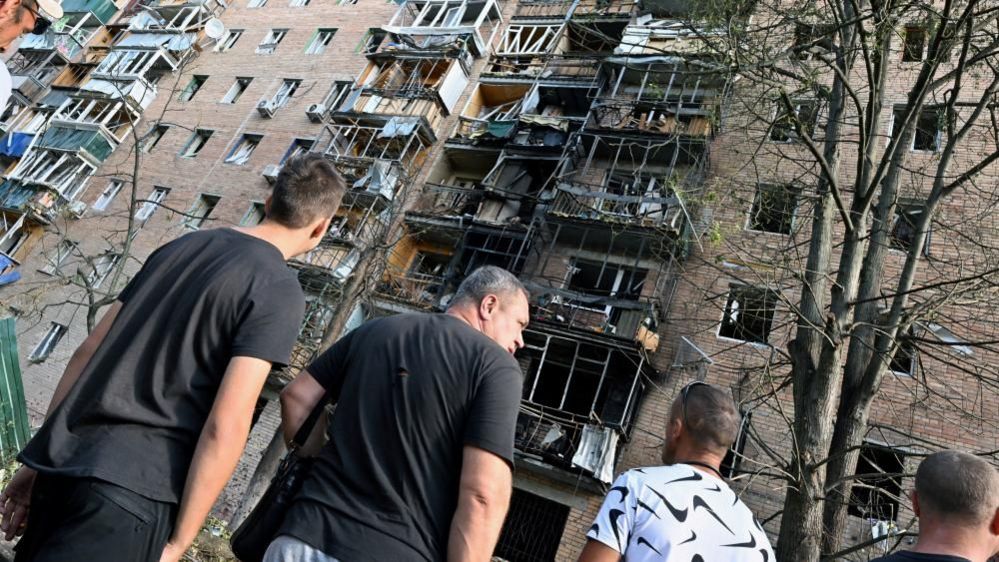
957 502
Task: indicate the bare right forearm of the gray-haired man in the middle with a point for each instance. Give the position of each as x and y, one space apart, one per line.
483 498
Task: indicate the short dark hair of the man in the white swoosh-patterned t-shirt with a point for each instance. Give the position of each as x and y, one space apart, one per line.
712 417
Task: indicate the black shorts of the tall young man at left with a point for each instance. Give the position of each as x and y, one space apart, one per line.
89 519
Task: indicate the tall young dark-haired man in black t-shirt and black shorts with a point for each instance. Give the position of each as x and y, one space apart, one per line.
153 410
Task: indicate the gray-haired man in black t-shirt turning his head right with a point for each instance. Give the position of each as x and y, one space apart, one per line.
418 466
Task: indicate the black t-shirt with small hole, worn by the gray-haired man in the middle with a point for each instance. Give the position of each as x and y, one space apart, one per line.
411 391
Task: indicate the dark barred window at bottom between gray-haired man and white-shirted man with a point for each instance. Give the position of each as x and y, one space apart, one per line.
532 530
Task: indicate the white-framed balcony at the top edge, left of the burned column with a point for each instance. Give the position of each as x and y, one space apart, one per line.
429 21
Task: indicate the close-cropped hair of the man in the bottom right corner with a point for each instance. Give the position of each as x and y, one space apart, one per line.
958 486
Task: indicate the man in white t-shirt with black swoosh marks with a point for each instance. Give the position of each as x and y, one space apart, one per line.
683 511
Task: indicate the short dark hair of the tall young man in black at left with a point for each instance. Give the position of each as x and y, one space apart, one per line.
307 188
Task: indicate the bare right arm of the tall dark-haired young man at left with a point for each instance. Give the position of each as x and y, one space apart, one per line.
220 445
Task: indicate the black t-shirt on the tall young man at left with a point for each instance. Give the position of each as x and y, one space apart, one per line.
135 415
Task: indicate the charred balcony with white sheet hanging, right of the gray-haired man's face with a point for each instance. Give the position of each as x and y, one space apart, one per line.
580 399
